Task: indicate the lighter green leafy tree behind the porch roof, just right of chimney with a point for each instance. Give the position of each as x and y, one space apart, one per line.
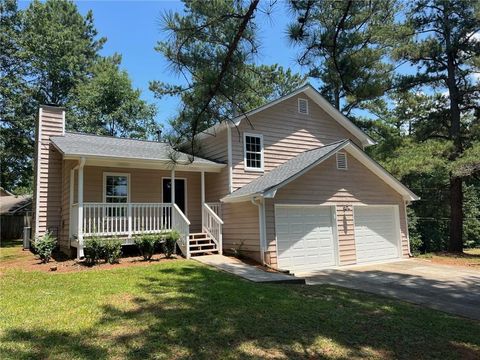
107 104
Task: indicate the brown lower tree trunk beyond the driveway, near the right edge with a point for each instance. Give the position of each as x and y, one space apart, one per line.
456 215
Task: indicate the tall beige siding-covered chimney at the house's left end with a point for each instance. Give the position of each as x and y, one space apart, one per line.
47 195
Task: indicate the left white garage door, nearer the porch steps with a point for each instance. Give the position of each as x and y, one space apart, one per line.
305 238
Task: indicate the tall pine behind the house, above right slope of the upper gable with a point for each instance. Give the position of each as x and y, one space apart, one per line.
345 44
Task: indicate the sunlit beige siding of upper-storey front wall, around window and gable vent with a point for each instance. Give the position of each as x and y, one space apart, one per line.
286 133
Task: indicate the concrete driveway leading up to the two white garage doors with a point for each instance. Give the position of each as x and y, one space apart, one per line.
451 289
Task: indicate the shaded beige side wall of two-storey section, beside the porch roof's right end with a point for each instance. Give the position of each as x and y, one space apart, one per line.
214 147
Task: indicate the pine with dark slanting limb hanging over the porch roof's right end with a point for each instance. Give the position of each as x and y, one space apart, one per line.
212 47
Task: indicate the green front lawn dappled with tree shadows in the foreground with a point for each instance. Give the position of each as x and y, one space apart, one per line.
181 309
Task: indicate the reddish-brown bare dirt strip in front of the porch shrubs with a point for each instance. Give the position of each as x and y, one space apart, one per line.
17 258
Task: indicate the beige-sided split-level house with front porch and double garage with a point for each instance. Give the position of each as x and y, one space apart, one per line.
287 184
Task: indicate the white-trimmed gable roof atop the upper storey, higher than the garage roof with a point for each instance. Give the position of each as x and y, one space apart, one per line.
313 93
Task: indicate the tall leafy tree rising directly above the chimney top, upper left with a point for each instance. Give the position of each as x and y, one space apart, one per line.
60 45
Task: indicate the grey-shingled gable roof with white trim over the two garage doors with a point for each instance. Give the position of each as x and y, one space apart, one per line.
267 185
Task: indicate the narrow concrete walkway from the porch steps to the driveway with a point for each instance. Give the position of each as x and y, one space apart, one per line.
246 271
